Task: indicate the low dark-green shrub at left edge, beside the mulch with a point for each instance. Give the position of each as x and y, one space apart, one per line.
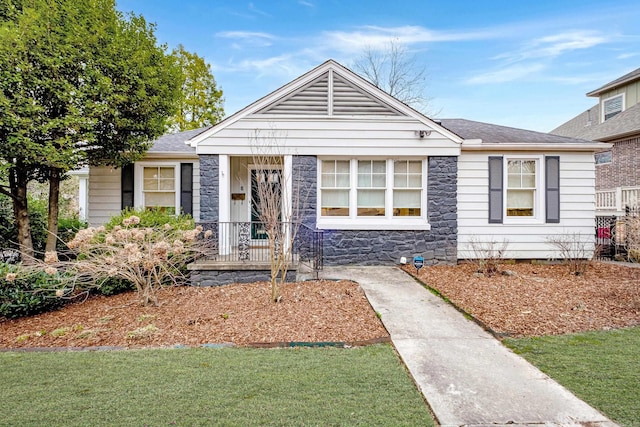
24 293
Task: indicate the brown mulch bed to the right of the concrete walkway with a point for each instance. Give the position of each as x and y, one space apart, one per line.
542 299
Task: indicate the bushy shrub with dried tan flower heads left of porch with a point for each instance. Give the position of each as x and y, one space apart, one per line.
147 257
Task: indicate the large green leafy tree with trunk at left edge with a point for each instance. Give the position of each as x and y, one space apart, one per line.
80 83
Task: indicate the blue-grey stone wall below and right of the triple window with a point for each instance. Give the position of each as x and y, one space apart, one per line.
385 247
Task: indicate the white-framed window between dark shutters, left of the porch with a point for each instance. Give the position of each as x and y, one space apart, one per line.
157 186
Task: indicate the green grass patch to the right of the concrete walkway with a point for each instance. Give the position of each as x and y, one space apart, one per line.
602 368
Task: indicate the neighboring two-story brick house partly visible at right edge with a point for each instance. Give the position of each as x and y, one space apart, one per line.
614 119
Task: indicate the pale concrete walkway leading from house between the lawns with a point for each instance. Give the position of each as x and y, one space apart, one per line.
467 377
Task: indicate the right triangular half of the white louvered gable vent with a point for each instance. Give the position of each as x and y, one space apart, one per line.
349 100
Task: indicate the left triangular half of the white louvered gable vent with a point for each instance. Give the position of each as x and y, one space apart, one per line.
313 99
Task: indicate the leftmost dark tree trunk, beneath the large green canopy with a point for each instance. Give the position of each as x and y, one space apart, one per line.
18 183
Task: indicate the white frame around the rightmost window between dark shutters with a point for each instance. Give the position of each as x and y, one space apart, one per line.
538 202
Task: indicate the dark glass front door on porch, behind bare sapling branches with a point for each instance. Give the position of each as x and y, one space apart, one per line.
266 199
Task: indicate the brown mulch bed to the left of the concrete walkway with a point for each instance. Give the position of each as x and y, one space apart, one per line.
242 314
